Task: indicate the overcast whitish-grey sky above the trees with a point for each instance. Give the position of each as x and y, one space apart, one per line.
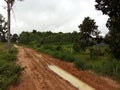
53 15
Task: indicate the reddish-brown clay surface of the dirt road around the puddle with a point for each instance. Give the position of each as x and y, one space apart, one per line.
37 75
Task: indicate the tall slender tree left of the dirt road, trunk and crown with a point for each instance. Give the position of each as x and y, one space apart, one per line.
10 4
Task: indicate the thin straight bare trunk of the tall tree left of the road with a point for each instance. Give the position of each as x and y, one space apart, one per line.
8 33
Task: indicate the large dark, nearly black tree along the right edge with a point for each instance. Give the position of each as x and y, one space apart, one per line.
112 9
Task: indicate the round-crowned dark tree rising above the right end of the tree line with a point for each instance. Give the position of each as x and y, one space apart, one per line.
88 28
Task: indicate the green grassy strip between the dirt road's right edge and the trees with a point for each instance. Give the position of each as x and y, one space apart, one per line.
100 62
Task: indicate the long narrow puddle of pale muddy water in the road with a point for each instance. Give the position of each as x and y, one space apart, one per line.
70 78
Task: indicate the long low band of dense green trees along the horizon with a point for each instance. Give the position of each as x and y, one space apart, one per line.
39 38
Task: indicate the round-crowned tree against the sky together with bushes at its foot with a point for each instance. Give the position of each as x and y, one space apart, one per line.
88 29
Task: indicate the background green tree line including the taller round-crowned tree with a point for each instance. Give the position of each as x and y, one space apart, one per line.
88 35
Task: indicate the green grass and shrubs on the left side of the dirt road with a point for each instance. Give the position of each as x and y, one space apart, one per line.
9 70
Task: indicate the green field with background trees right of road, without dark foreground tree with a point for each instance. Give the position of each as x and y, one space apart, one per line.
81 48
